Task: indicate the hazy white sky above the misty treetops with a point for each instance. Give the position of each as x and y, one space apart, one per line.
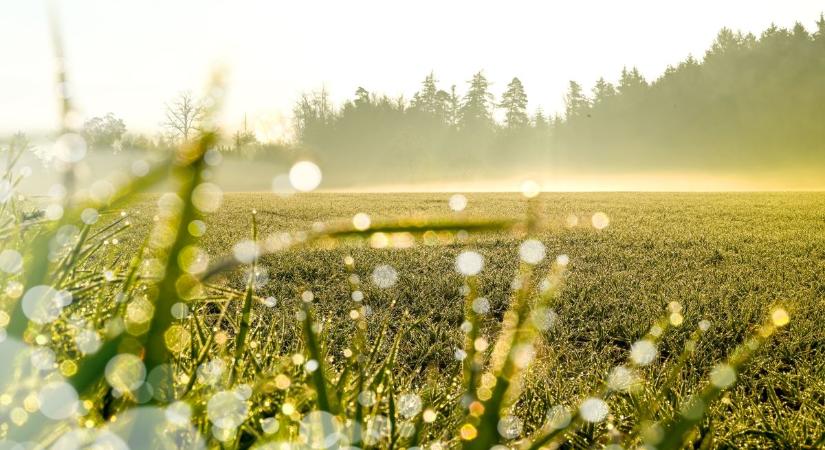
129 57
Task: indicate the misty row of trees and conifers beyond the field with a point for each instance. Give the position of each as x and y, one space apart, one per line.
749 102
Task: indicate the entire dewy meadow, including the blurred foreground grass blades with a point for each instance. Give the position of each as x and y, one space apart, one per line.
198 318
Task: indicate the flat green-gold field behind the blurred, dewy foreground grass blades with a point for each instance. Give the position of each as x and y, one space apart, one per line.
726 258
